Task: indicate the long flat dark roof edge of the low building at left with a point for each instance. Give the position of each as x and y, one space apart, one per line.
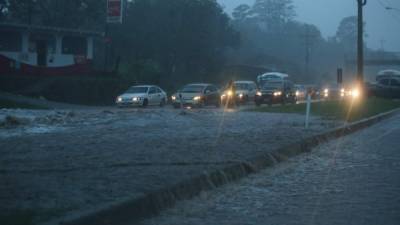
47 29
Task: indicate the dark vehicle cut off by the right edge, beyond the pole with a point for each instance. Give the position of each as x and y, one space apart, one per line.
388 84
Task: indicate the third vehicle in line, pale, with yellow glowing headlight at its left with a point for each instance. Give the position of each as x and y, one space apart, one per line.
244 91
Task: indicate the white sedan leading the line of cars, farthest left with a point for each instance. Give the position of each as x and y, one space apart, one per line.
142 95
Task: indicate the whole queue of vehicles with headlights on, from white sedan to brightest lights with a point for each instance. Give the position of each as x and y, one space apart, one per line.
271 88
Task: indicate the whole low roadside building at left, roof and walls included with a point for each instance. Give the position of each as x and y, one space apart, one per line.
27 49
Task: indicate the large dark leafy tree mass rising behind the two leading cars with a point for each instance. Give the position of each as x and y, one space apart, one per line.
185 38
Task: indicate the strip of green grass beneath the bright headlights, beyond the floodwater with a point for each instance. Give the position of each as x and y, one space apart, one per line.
341 110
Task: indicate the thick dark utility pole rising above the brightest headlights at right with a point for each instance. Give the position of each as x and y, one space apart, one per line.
360 42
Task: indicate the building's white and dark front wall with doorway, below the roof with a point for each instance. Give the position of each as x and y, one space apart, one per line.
19 52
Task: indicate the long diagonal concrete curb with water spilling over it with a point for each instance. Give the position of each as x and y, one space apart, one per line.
134 210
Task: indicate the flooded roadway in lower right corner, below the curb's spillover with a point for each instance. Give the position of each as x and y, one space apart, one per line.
352 180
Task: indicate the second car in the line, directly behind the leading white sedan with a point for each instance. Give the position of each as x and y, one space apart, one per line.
197 95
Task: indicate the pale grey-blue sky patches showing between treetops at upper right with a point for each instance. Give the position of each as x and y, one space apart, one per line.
382 26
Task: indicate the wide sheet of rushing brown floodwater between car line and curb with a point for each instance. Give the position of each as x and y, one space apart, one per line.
57 162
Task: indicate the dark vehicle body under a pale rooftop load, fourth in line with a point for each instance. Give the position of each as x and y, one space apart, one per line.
276 92
